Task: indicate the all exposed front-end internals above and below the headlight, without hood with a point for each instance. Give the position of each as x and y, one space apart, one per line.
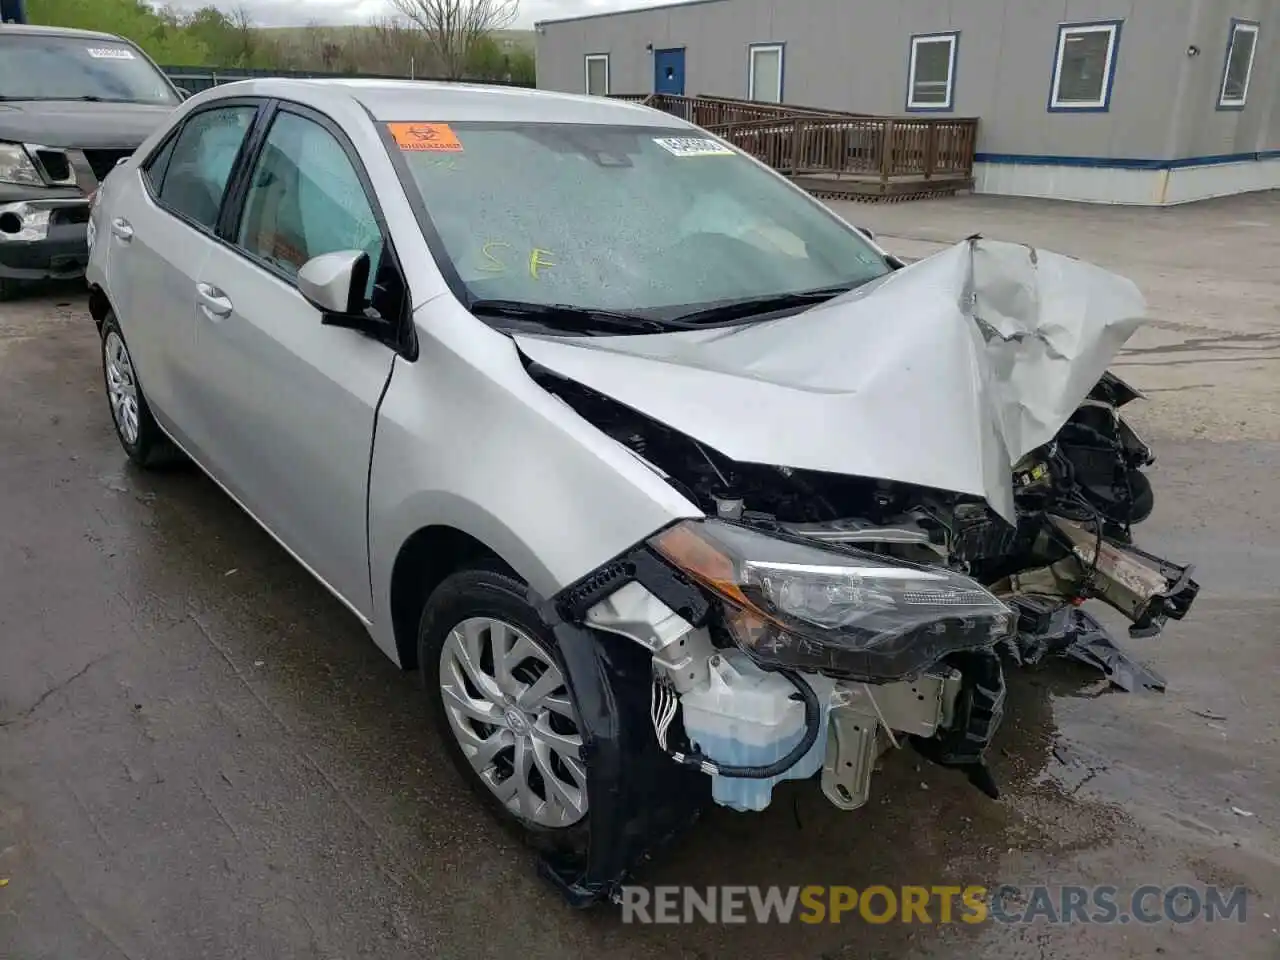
1078 500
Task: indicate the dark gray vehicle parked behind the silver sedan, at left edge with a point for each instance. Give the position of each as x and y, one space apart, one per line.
72 106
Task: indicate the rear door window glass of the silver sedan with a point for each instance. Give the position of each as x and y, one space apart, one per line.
202 163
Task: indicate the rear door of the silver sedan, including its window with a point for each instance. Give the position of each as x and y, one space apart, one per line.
161 232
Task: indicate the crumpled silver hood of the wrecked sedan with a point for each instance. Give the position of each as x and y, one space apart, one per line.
943 374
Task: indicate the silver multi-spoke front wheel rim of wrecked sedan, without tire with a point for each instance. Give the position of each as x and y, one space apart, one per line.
510 711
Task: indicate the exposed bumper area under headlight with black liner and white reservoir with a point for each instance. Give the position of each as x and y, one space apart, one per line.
639 630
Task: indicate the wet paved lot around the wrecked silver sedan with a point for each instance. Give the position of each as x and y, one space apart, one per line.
203 755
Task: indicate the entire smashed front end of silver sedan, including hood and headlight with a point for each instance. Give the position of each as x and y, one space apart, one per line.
817 619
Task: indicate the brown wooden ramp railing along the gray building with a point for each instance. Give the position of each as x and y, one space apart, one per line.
885 154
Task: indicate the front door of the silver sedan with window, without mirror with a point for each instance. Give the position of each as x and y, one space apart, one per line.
289 404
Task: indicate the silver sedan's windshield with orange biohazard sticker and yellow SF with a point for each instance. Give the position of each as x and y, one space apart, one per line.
644 221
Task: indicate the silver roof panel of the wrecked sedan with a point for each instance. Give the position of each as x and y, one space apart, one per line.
428 102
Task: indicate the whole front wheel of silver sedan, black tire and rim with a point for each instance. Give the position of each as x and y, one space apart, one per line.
500 701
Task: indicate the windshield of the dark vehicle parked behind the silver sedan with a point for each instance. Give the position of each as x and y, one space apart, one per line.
75 68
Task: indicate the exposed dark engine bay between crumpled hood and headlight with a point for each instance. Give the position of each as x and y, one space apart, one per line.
1078 500
